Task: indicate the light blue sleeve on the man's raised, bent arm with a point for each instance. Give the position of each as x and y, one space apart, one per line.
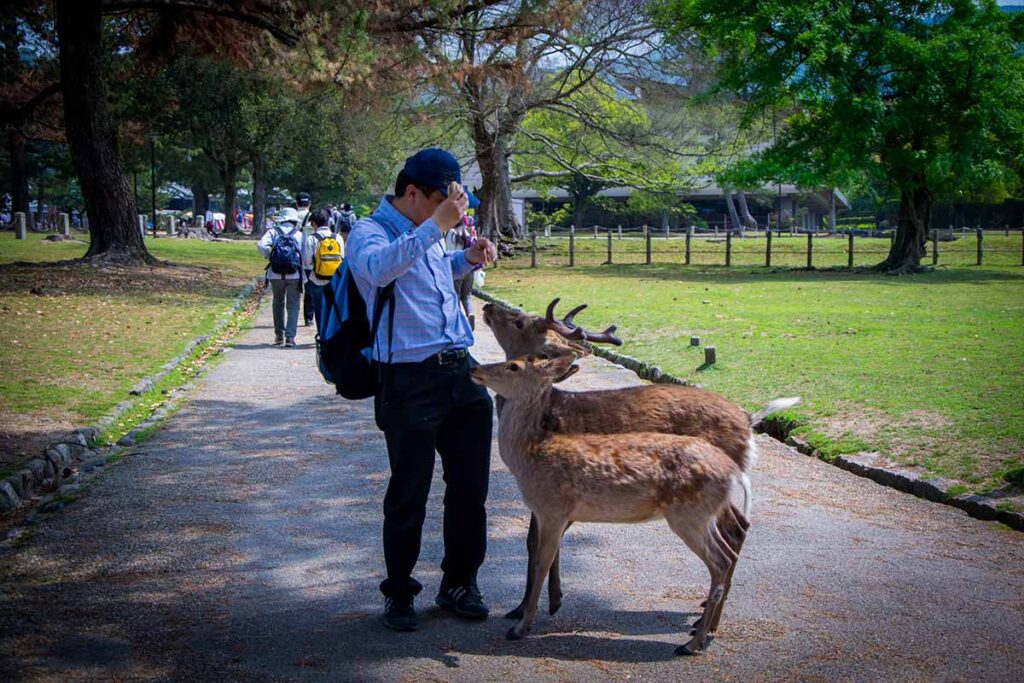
377 261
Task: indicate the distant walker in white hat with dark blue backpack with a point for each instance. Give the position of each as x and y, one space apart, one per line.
282 246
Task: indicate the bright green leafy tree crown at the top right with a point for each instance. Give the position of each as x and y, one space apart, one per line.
926 95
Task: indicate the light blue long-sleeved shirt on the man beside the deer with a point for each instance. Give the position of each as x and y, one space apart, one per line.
428 316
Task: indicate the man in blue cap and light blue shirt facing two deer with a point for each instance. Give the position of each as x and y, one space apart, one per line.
428 402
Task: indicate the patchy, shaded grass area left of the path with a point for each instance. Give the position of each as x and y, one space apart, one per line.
77 338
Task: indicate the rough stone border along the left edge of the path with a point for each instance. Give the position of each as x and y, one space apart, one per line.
66 465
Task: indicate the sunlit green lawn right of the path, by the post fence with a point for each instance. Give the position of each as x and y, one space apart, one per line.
927 369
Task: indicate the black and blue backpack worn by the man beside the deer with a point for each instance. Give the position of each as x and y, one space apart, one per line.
346 344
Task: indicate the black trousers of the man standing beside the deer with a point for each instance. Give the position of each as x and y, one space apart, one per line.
423 409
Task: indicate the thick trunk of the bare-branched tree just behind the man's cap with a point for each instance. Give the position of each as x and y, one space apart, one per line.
498 220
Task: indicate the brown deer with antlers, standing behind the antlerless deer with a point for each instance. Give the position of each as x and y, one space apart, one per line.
669 409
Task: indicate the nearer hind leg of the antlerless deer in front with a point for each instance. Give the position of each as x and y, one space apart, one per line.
703 538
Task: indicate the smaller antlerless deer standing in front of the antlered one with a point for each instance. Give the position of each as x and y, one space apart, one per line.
620 479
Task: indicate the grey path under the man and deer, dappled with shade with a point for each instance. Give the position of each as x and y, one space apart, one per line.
242 542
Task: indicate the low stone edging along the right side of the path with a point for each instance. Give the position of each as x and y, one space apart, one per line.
871 465
